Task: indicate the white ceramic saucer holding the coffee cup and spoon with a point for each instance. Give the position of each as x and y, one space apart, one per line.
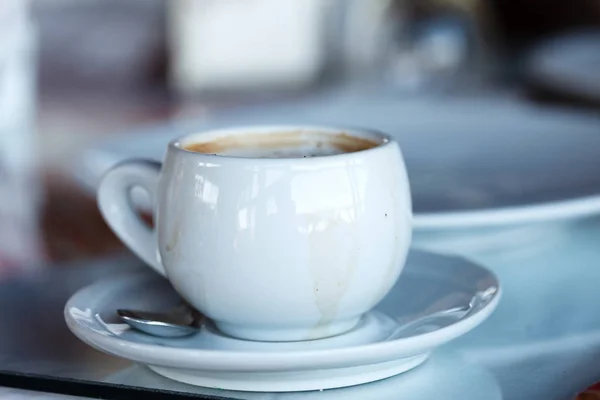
380 347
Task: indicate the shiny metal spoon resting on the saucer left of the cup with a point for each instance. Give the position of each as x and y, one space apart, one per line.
168 325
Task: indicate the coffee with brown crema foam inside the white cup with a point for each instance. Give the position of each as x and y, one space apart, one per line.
283 145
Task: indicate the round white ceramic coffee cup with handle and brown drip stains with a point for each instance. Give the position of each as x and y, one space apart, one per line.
286 233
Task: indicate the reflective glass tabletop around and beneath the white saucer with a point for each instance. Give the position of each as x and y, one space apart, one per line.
543 341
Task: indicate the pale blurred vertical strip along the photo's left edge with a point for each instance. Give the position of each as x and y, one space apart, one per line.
19 185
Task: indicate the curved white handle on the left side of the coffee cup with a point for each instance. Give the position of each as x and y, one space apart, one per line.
114 201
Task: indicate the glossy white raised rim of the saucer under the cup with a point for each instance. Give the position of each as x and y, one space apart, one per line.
252 361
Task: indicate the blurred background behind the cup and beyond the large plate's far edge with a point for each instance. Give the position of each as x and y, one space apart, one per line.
73 72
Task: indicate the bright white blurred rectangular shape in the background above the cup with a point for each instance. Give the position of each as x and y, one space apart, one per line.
233 45
